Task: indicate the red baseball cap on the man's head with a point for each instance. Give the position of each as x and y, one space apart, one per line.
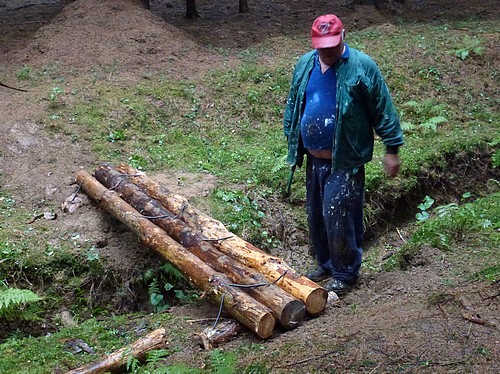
327 31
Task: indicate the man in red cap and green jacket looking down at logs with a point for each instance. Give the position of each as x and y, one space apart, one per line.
337 100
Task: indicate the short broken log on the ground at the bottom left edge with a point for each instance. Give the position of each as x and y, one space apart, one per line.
118 359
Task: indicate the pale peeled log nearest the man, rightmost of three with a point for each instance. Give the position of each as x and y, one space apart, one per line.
310 293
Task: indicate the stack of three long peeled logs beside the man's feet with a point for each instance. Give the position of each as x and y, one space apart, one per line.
255 288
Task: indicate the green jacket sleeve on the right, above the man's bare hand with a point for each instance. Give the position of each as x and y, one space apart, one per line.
383 114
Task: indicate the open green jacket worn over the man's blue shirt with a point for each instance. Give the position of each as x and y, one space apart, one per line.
363 105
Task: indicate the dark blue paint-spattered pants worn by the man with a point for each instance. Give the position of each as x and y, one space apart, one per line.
335 216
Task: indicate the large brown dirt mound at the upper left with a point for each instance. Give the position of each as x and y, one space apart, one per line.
120 34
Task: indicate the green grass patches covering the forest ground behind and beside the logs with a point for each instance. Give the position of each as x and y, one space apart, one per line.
229 125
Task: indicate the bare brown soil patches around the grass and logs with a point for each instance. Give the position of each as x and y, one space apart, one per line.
389 322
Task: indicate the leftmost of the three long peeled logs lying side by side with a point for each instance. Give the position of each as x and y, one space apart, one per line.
252 314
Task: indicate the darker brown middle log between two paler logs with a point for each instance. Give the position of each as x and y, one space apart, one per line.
288 310
